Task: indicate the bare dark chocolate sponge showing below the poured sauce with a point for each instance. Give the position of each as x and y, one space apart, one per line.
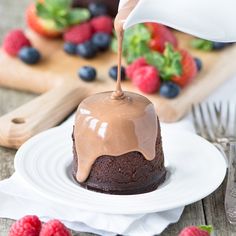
129 173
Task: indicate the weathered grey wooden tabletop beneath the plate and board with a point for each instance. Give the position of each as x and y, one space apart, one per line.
208 211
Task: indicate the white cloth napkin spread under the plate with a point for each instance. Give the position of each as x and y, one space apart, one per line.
17 199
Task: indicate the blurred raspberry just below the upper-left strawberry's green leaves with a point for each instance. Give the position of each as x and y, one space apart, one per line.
78 34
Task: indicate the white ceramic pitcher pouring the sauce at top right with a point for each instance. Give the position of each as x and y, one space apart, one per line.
209 19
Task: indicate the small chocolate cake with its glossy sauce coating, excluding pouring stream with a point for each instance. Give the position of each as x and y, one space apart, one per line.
117 145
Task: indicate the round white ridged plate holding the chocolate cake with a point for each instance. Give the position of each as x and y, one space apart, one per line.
196 169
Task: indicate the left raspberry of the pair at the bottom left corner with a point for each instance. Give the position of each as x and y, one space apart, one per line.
26 226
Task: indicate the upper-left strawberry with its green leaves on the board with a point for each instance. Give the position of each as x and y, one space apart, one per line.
50 18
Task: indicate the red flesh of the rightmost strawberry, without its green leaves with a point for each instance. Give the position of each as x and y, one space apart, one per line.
189 69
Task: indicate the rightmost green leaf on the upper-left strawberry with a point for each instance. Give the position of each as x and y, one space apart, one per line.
78 15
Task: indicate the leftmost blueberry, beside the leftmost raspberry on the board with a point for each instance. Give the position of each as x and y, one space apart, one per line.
29 55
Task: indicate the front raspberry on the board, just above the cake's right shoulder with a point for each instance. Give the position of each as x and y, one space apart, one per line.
147 79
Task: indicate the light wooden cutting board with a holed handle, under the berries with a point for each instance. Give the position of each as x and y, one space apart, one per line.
56 78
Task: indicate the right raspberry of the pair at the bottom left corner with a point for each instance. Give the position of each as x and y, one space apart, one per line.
54 228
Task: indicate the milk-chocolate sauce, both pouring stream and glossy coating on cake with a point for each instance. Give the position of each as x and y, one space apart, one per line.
114 123
